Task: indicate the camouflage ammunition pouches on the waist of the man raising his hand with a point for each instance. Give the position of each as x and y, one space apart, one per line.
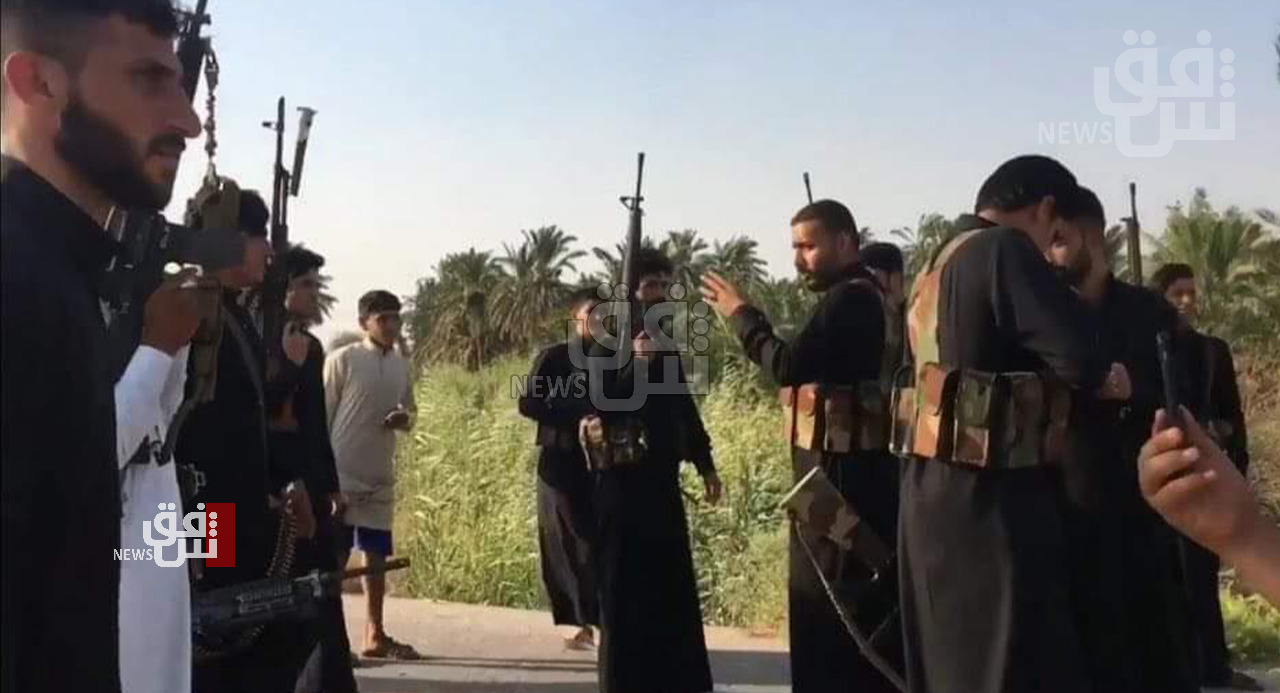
838 420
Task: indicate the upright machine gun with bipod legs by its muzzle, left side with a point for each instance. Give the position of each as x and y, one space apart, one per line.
286 184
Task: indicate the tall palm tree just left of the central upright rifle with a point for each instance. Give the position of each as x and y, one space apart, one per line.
534 286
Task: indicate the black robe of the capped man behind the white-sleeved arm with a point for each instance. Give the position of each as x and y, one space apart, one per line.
227 440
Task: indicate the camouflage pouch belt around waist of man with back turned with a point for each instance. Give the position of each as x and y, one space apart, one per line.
998 421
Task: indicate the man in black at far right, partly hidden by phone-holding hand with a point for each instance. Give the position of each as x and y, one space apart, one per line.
1209 390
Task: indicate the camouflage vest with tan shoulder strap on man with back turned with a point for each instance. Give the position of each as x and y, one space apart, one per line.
1005 421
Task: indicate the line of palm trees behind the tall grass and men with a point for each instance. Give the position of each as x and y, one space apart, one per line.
479 306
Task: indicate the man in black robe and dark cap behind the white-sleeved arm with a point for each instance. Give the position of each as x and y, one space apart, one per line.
226 440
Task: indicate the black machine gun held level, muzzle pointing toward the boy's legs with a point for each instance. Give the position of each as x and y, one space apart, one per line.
228 610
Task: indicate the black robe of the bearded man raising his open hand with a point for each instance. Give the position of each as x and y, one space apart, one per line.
843 344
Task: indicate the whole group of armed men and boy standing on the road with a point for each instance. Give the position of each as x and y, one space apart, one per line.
968 516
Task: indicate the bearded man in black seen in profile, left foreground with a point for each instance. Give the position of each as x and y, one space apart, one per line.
81 135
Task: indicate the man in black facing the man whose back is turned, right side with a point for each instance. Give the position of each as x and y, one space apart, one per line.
1131 607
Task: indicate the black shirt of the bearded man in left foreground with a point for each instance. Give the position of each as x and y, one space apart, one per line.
61 480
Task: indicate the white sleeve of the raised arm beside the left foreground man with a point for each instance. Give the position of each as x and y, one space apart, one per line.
139 413
